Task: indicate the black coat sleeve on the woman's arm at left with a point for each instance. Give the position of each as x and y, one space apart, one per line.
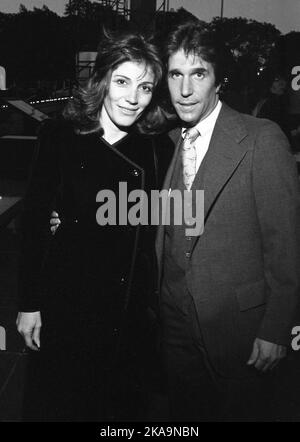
35 227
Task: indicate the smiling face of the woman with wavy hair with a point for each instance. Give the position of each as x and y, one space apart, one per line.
130 91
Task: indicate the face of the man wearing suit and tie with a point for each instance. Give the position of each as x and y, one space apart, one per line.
191 82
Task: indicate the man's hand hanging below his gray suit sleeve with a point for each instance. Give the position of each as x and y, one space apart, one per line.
266 355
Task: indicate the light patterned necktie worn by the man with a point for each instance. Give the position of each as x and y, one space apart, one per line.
189 157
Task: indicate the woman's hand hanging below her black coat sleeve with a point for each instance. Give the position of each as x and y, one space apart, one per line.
29 326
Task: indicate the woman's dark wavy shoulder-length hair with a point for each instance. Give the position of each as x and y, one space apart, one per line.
84 109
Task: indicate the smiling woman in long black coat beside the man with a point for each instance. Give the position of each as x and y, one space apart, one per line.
85 288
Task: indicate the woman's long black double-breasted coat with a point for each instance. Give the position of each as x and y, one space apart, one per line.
90 282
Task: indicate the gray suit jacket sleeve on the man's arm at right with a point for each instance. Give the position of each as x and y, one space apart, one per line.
277 197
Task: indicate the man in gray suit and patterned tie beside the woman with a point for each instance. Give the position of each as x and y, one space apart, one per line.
227 296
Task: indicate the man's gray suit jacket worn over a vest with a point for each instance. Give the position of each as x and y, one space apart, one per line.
243 272
